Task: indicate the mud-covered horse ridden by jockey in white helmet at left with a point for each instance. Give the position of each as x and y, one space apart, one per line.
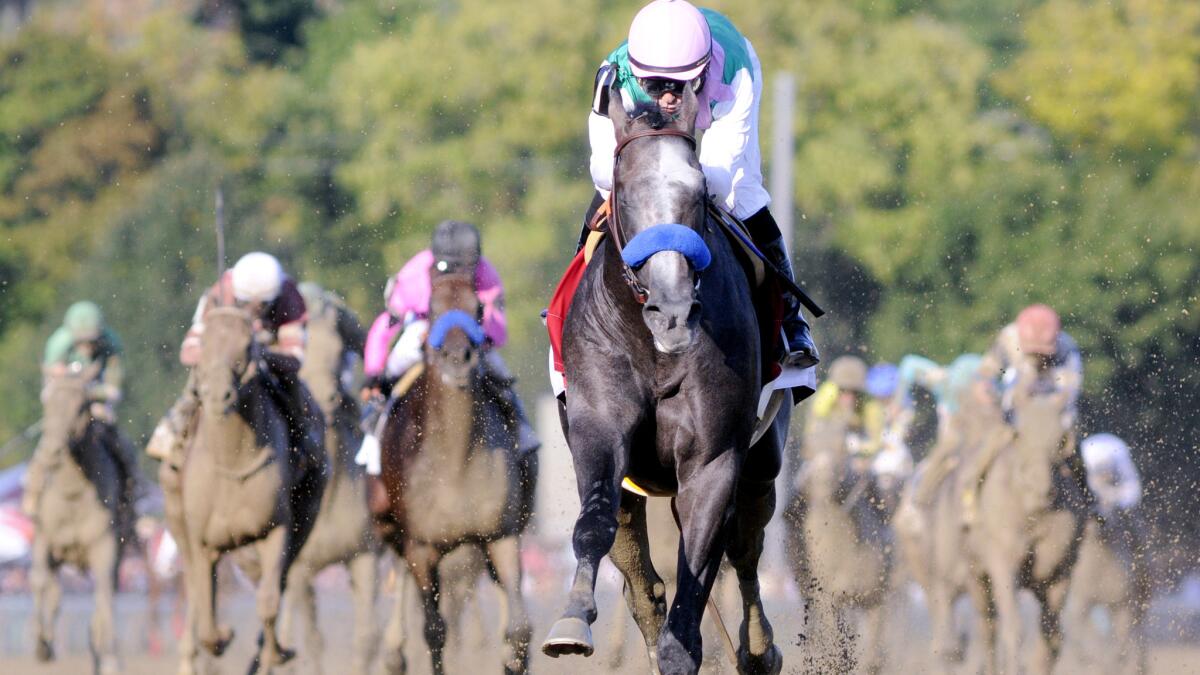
242 483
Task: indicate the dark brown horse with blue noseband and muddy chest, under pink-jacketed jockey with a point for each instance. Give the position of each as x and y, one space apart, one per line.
453 470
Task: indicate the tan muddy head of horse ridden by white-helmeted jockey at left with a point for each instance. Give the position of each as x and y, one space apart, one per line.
226 359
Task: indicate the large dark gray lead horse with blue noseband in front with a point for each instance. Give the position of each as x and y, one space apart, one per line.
665 368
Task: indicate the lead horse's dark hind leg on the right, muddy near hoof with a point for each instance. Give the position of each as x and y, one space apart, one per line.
754 506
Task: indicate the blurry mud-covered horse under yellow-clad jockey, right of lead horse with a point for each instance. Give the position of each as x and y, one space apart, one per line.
839 551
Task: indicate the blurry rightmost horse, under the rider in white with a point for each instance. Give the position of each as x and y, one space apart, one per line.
1112 576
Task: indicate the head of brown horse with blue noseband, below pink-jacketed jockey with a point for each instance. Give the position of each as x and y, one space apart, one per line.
455 339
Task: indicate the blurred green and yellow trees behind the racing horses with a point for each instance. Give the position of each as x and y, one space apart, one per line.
956 160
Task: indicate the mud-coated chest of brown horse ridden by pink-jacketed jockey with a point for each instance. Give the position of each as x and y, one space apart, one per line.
453 500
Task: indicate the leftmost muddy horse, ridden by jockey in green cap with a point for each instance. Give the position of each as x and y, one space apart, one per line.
76 519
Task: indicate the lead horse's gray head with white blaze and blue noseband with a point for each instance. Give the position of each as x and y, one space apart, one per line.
658 216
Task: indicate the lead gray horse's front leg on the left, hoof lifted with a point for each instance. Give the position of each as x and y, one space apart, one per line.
599 469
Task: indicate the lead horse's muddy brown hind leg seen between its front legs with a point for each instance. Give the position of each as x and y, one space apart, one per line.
645 590
